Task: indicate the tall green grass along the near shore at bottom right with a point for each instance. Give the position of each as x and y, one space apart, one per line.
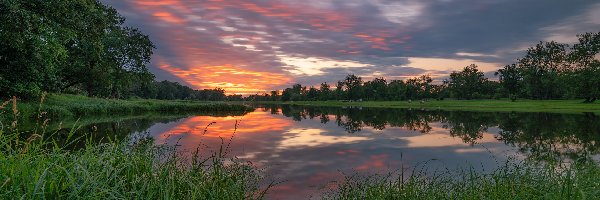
513 181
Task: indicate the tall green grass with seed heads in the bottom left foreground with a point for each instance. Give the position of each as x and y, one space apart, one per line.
34 166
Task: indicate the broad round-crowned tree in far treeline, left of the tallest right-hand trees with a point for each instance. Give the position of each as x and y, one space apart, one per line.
468 83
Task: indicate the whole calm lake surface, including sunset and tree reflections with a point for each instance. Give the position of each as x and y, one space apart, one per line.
307 148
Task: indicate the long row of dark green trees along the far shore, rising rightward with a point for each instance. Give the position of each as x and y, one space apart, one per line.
549 70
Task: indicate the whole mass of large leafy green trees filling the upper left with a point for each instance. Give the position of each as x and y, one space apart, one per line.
63 45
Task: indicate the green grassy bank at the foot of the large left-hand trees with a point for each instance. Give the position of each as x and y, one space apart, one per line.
75 106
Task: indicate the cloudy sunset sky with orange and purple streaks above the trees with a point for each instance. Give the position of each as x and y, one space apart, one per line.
253 46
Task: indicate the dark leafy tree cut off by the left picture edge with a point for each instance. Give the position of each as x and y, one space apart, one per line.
31 50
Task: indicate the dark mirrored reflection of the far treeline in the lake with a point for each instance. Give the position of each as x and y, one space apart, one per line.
540 136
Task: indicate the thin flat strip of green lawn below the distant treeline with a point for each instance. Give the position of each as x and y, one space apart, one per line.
555 106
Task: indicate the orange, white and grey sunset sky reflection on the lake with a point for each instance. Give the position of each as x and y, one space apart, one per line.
307 153
